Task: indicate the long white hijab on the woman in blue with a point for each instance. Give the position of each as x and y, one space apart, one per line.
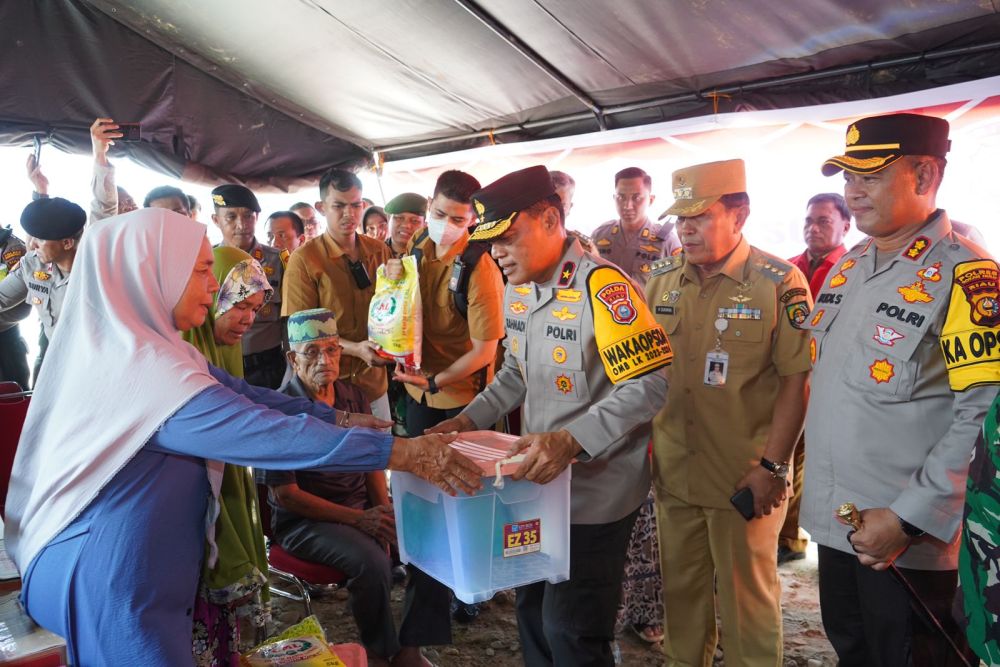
115 370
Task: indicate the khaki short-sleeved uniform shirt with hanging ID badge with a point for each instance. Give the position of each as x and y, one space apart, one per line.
707 438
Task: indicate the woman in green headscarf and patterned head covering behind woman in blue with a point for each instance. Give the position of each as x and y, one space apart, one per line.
234 577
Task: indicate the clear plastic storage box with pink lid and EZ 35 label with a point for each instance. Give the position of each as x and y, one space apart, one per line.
498 538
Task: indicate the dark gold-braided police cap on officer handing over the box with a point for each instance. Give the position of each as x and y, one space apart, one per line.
499 203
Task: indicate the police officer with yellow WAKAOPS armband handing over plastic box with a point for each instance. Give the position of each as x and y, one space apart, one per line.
585 358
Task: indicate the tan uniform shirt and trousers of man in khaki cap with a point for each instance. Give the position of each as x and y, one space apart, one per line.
707 438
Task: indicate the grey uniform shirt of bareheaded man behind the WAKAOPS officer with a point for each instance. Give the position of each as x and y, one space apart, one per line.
635 253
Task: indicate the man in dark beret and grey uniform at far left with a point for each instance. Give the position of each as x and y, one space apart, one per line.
40 279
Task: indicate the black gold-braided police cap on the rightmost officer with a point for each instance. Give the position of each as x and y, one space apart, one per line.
875 142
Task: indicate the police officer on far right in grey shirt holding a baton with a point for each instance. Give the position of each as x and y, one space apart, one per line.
903 314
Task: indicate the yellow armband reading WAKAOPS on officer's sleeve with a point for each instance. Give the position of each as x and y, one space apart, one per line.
628 338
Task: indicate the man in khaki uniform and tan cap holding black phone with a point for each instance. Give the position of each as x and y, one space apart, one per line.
737 399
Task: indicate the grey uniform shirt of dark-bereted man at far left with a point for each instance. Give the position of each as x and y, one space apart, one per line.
40 285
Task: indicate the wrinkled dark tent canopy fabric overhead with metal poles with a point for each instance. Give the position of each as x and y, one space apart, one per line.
273 93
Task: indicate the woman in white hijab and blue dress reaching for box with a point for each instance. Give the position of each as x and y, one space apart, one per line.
106 511
